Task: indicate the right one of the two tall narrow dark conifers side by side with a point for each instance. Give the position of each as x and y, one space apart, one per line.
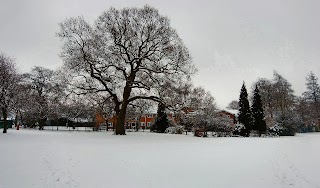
259 123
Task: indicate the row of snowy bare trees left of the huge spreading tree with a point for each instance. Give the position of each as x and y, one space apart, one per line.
37 96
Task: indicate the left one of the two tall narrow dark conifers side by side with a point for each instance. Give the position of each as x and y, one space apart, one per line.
245 115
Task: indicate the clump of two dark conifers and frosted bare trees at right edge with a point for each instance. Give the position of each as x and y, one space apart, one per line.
275 105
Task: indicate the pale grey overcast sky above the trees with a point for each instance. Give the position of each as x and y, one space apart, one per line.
231 41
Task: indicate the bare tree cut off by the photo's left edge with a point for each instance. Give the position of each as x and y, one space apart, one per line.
9 79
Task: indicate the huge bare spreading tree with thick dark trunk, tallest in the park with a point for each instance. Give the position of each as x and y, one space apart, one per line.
126 54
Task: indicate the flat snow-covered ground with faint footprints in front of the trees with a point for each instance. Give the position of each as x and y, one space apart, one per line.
38 159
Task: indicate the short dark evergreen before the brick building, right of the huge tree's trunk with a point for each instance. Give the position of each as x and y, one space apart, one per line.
161 123
